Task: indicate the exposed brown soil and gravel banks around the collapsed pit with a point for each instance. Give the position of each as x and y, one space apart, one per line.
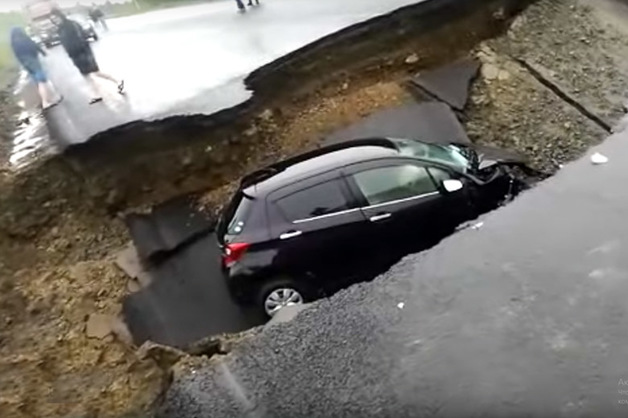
60 226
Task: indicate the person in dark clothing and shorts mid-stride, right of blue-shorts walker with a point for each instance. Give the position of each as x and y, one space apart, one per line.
75 43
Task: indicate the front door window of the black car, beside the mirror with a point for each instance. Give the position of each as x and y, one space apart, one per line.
387 184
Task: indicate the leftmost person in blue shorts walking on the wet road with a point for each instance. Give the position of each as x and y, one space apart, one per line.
27 53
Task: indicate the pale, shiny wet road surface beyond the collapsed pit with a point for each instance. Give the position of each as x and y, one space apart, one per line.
190 60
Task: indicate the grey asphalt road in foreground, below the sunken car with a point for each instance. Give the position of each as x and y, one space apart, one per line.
523 316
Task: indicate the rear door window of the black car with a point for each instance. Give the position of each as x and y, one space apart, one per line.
323 199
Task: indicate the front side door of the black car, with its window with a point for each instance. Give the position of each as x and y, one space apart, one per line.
403 204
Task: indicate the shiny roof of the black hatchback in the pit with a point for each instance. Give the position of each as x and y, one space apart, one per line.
318 165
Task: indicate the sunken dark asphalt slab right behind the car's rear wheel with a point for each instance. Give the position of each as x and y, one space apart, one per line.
187 299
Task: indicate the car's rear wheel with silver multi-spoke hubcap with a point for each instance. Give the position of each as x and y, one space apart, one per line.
279 293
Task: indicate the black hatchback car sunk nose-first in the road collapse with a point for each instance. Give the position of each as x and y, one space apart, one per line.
311 225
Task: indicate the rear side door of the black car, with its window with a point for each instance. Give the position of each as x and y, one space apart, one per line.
319 229
